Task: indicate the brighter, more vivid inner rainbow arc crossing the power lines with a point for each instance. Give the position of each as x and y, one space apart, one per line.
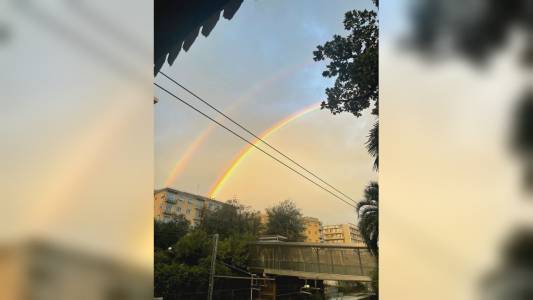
246 150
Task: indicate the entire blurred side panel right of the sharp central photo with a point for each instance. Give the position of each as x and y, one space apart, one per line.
456 149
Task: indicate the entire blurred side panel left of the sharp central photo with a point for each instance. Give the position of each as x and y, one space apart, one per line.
77 149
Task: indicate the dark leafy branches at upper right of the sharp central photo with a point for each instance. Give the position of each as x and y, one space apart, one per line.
354 64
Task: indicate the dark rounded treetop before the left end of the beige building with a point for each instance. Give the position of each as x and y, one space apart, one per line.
166 234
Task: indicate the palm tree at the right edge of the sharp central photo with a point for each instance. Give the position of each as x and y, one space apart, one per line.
367 210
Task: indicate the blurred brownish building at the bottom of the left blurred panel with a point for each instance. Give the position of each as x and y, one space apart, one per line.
41 270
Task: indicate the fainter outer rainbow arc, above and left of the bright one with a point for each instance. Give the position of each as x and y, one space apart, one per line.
200 140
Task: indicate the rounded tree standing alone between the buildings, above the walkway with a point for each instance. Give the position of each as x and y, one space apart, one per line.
286 219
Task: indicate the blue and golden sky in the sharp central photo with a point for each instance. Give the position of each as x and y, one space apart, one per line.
259 69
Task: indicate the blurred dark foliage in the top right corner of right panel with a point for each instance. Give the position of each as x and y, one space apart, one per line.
475 29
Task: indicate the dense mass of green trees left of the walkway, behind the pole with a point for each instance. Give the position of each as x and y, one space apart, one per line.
183 271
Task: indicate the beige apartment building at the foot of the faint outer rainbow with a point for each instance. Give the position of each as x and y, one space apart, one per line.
170 203
